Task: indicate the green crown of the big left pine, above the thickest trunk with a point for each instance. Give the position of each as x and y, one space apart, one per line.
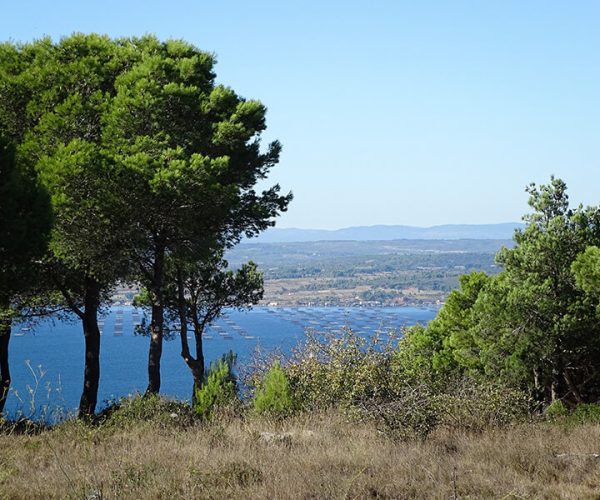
53 98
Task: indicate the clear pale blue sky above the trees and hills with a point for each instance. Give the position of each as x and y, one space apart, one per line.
390 112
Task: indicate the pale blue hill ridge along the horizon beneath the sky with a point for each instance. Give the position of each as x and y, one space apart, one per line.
381 233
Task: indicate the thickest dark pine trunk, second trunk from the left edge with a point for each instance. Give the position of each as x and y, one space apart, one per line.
91 332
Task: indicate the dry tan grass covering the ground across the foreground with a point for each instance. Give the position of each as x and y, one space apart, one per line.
318 456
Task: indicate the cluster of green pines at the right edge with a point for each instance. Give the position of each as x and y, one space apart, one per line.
534 325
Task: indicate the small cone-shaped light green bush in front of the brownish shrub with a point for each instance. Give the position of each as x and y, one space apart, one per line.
274 398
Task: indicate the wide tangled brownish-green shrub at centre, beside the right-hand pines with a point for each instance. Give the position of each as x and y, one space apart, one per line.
370 378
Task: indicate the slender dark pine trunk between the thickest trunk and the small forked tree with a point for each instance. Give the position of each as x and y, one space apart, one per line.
156 325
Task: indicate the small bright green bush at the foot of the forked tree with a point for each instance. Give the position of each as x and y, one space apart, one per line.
219 389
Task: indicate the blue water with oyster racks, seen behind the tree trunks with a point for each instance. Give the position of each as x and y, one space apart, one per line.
47 359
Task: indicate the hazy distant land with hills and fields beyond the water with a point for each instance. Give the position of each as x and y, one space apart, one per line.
330 268
